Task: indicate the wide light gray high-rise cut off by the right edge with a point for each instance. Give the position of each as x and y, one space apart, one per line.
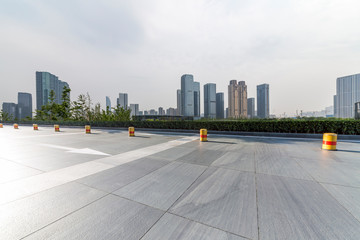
347 94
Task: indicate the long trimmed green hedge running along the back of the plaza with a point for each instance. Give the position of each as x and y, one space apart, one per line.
349 127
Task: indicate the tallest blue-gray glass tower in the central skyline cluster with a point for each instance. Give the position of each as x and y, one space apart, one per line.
187 95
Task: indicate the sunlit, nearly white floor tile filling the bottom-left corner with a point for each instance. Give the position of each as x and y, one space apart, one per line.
27 215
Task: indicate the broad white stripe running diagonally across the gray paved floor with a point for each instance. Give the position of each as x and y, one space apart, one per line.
24 187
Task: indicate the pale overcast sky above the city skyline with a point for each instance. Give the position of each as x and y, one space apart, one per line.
142 47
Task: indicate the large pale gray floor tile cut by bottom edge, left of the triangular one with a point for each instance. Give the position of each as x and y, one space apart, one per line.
109 218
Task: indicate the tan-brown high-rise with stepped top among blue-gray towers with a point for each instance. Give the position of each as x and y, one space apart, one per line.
237 99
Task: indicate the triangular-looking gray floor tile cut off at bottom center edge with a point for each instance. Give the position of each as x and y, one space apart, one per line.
178 228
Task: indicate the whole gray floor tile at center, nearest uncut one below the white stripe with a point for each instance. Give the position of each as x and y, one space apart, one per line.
161 188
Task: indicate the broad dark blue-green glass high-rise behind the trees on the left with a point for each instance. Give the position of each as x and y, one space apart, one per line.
45 82
